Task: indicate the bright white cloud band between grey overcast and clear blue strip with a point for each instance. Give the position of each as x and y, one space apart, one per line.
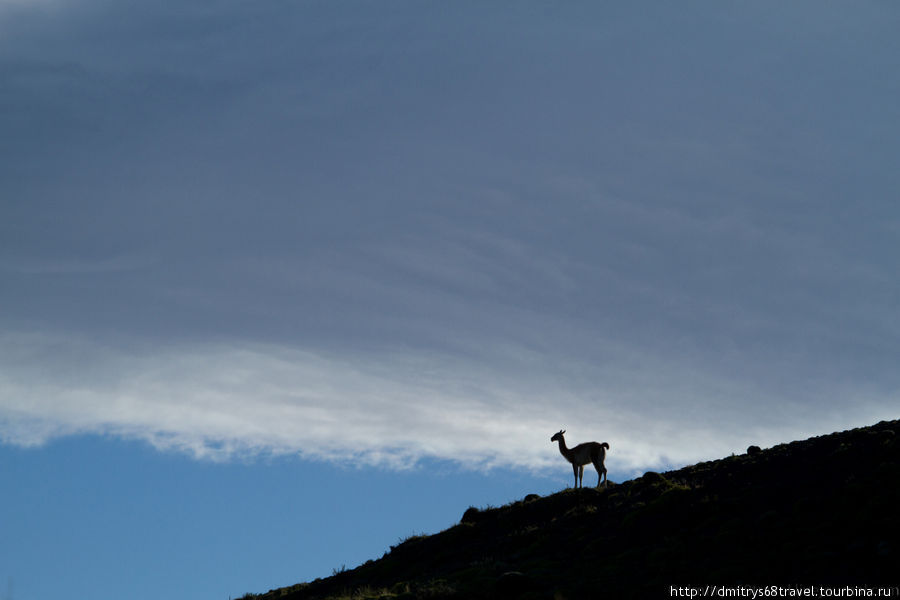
227 402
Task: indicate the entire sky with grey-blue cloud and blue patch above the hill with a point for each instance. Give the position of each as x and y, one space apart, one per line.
284 282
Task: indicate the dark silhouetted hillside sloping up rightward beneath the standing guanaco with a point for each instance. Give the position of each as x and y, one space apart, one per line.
818 512
